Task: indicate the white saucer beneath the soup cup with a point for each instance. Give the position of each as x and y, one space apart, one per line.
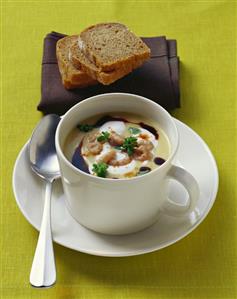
193 154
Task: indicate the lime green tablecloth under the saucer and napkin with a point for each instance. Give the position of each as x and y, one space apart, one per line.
203 265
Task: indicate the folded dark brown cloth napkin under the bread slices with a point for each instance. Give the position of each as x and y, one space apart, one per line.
157 79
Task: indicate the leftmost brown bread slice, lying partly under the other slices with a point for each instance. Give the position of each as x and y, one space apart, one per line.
72 77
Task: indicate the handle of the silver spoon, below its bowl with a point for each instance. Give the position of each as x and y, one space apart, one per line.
43 271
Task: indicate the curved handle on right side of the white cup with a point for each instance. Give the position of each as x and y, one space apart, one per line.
190 184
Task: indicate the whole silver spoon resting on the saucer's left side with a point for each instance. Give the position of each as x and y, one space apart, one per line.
44 162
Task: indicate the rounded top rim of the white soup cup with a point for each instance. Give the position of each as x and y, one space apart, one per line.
109 180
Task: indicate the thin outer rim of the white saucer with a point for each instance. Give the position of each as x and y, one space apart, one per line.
212 197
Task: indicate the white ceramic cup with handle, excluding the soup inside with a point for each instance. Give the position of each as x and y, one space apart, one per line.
122 206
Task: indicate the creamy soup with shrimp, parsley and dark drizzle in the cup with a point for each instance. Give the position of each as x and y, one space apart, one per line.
117 145
